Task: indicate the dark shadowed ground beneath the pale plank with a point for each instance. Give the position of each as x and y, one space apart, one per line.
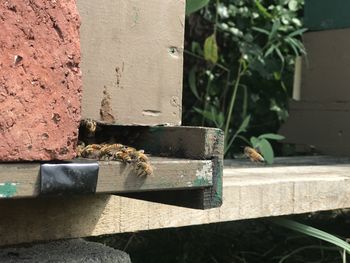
248 241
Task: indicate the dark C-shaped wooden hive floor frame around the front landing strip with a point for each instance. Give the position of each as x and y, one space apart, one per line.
182 142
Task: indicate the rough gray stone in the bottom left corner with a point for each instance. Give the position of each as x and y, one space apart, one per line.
73 251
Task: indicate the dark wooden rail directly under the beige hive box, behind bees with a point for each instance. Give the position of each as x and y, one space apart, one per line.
181 141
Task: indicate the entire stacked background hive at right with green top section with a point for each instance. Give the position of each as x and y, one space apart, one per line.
319 113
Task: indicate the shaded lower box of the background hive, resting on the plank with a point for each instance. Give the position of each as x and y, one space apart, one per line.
320 124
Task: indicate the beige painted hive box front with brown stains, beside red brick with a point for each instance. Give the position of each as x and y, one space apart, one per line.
132 58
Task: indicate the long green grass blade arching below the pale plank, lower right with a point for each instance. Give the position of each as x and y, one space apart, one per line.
313 232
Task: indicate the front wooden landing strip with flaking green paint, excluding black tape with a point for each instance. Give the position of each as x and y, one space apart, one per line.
115 177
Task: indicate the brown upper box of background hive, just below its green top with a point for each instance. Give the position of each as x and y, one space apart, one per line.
325 71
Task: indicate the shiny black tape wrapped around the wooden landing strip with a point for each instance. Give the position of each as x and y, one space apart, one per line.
68 178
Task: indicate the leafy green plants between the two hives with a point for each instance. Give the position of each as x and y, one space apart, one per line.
239 67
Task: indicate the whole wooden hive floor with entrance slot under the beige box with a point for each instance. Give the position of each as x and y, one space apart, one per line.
187 171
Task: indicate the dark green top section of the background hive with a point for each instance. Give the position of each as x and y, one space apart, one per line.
326 14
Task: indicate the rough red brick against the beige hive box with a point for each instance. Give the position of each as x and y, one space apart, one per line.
40 79
